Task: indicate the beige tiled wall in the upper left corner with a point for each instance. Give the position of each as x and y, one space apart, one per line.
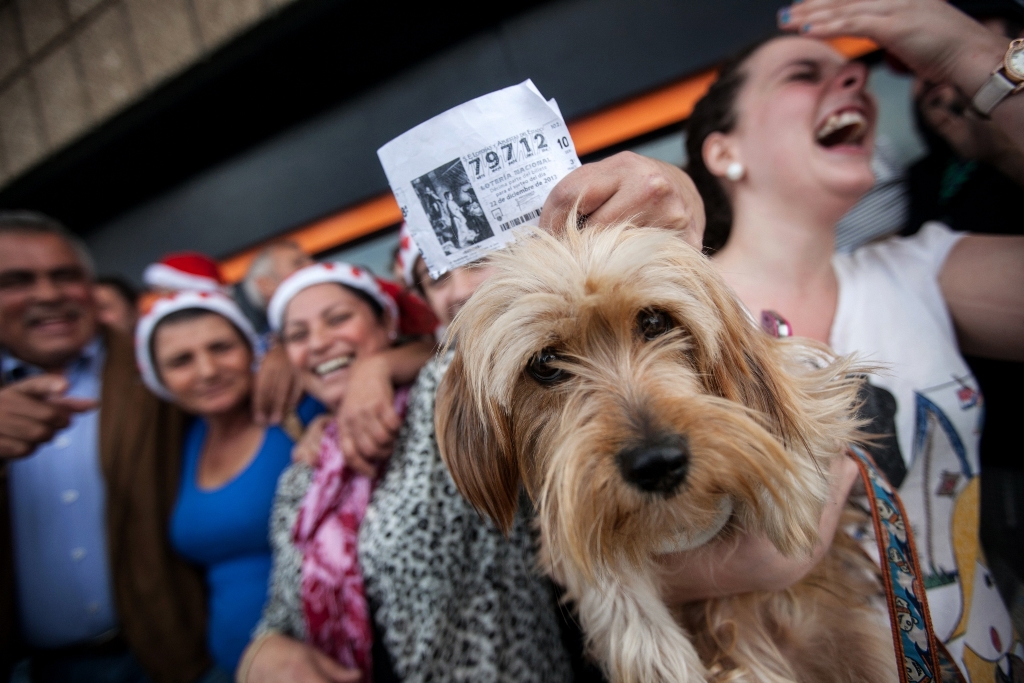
68 65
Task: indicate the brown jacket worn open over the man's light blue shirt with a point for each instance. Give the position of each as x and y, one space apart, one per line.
160 600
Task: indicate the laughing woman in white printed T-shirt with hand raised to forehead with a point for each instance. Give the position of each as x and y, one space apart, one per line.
781 149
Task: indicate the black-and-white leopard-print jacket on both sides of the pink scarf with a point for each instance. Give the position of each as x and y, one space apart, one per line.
455 601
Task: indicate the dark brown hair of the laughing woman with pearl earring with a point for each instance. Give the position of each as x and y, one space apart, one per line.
716 113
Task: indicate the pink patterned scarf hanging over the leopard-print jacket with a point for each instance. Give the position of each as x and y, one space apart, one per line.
327 534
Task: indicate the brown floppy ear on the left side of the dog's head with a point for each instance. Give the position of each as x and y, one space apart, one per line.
478 449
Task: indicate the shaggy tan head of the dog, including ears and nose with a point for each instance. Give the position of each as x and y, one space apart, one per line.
613 373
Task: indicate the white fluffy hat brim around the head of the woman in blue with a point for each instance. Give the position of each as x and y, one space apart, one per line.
212 302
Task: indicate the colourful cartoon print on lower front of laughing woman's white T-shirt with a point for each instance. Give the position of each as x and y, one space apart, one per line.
943 494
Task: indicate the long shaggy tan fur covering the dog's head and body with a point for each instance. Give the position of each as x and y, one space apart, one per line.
760 420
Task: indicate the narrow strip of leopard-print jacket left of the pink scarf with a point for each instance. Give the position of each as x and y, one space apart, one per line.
283 612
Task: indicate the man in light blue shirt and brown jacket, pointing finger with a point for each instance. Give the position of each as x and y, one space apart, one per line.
89 471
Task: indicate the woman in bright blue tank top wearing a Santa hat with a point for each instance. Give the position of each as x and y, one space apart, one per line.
197 351
